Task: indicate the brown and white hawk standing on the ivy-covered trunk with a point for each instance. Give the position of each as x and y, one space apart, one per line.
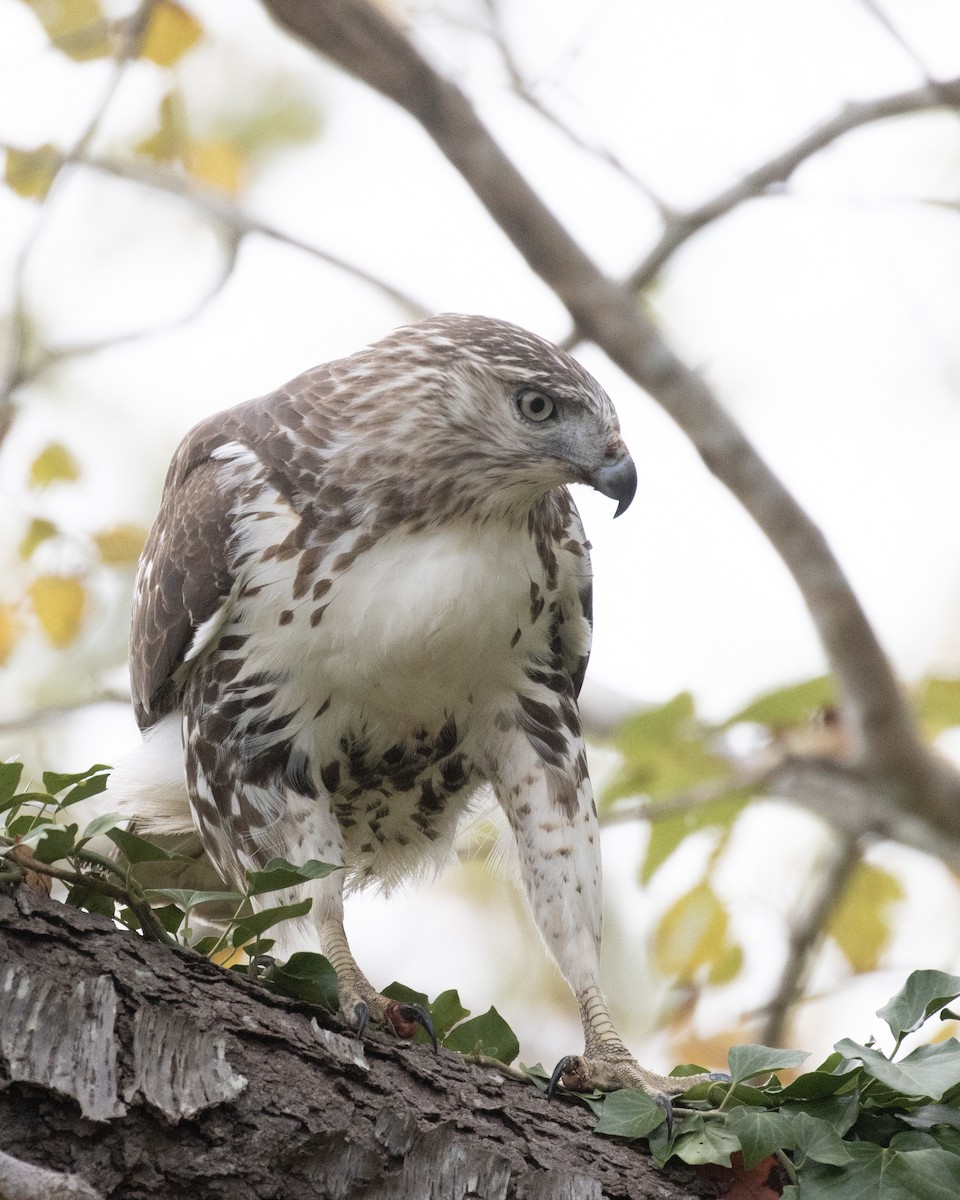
365 597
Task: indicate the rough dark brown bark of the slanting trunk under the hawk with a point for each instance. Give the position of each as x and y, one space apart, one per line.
142 1071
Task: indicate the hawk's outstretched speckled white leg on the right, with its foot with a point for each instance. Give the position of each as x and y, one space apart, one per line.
551 811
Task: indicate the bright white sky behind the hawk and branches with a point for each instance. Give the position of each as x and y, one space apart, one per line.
827 319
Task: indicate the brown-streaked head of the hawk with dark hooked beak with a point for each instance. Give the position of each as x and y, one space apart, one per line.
483 417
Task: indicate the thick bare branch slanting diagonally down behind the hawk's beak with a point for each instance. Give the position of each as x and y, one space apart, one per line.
363 41
